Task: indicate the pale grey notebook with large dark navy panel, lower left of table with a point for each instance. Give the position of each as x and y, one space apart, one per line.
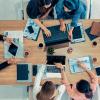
24 72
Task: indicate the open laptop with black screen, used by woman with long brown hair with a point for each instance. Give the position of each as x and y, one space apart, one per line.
51 70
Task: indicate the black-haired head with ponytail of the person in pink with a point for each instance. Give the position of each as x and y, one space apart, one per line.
83 86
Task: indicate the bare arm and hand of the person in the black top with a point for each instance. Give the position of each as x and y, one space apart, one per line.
38 22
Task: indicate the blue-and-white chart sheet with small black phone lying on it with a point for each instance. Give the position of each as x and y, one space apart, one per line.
31 30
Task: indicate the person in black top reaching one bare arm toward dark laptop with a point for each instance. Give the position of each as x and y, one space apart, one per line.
41 9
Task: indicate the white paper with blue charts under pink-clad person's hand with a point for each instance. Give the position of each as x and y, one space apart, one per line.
74 68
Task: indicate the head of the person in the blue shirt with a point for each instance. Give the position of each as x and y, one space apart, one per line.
69 5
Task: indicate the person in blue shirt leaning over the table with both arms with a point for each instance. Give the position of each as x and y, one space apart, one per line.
70 9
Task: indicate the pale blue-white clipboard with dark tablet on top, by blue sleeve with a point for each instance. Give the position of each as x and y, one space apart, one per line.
78 35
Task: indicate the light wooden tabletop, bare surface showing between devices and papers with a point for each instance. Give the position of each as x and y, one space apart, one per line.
38 56
